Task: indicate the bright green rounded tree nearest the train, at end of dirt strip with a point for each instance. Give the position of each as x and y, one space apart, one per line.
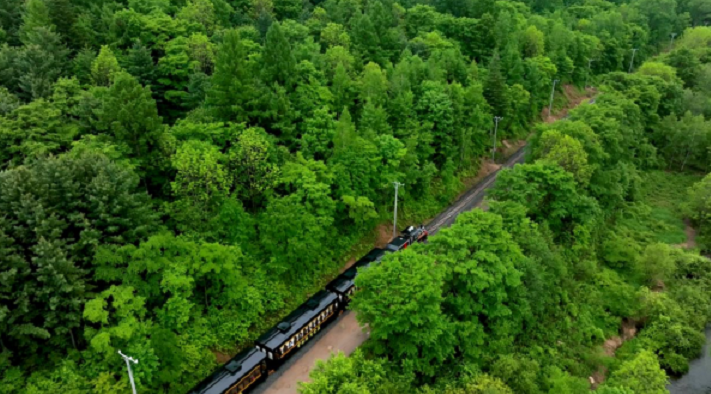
401 302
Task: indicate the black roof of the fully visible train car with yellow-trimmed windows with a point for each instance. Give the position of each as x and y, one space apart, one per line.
297 319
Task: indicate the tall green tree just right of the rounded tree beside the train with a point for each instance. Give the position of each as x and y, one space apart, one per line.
483 250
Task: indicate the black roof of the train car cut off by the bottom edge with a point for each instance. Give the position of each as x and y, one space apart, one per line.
230 373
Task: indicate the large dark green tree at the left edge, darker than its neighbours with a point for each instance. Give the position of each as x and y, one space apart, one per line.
49 240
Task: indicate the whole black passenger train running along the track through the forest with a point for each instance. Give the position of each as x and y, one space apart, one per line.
245 370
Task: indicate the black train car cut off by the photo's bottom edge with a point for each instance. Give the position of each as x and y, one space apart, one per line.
241 373
